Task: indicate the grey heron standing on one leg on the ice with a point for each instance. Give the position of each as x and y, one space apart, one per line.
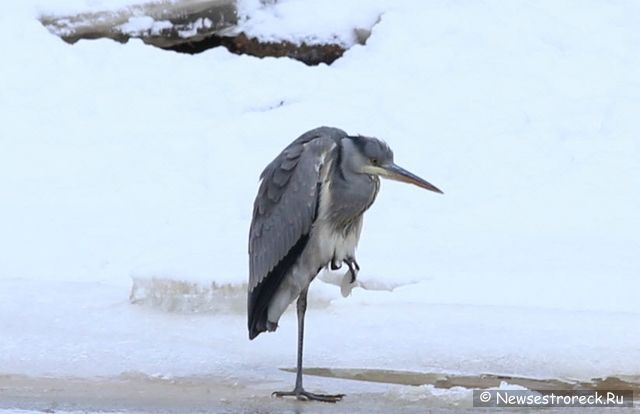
308 216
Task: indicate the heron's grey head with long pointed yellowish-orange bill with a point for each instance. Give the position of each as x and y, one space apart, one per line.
374 157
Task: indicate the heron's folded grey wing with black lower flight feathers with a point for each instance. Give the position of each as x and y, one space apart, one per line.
283 214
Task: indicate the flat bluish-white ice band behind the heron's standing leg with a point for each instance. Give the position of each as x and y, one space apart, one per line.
90 329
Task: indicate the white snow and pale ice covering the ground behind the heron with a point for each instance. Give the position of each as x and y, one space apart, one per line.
121 161
